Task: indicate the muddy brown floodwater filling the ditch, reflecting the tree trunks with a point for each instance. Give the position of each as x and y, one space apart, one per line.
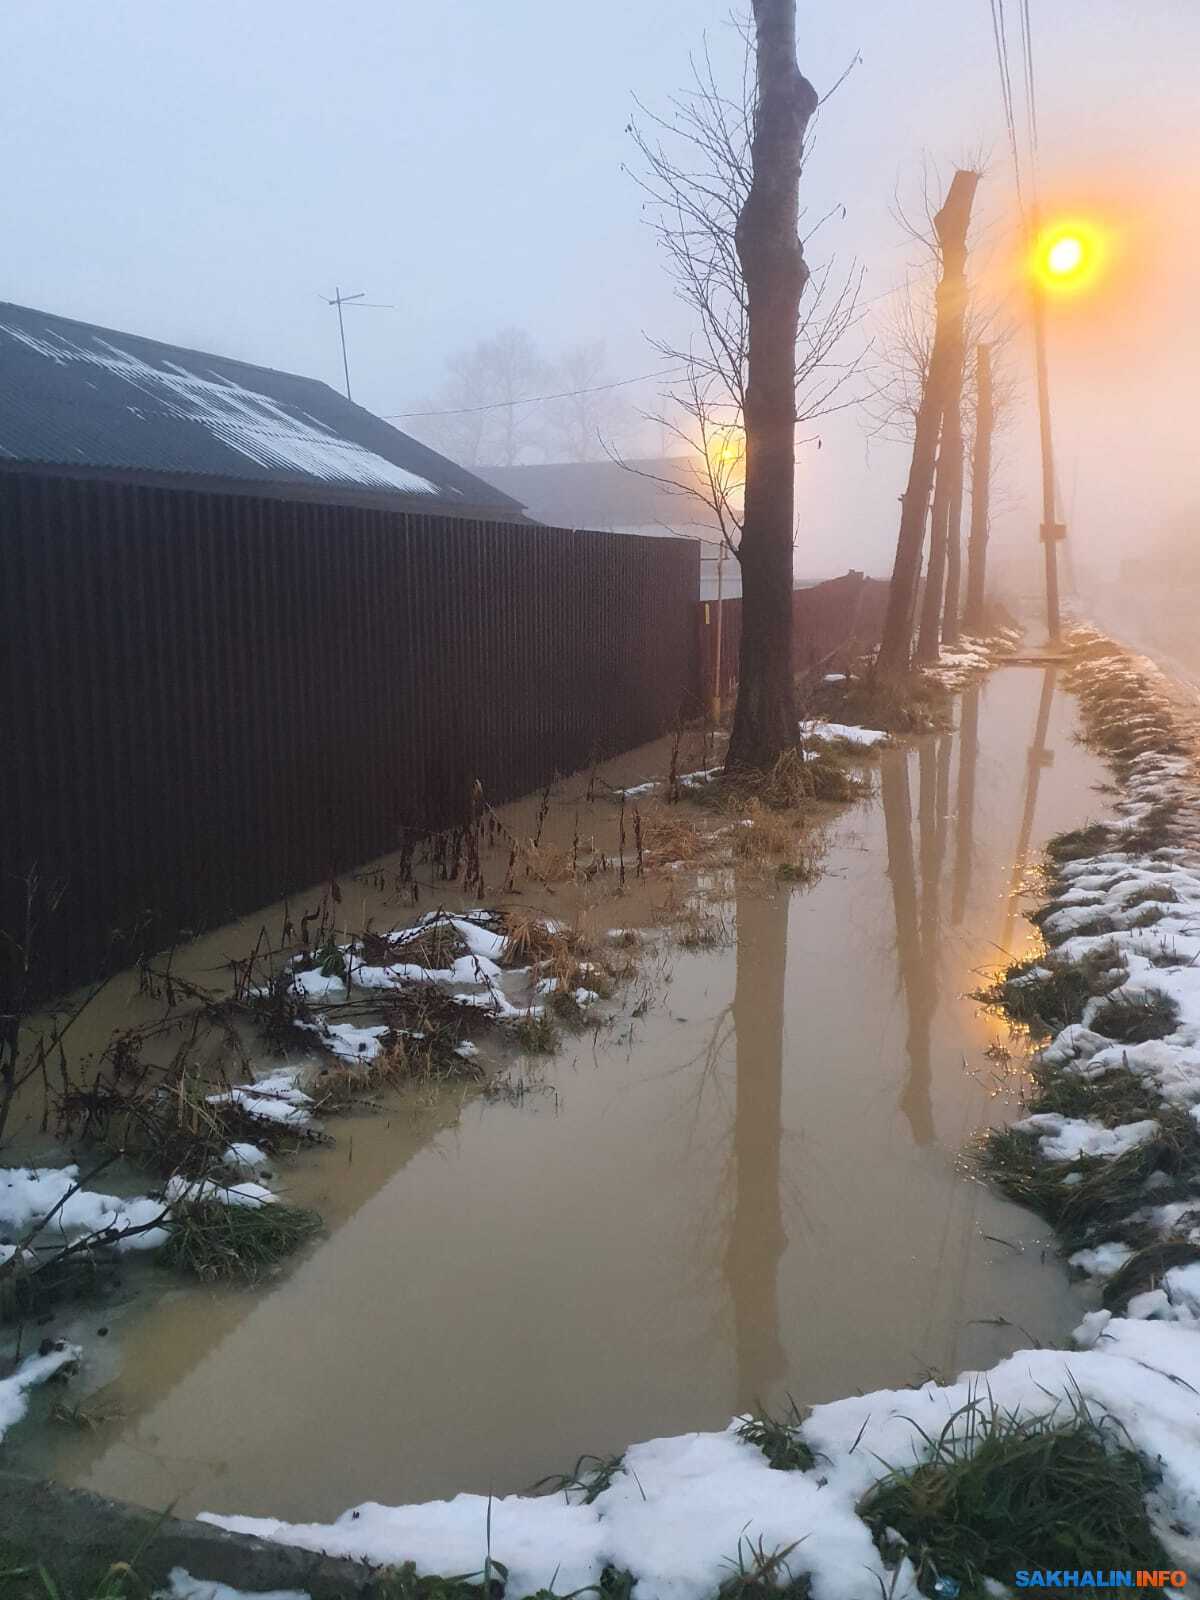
754 1190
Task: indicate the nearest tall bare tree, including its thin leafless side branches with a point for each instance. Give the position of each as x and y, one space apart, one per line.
722 175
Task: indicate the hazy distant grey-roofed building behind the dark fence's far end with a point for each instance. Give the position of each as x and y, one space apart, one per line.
658 497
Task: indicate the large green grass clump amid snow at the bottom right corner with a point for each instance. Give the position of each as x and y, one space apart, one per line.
1002 1492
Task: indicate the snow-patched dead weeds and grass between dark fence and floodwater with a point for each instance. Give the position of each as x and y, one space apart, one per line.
361 1010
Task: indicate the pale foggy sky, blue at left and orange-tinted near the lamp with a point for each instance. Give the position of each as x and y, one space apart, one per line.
201 172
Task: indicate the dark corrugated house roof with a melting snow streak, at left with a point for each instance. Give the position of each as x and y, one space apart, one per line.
79 396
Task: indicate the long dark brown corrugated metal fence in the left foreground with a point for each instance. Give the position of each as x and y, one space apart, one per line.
210 702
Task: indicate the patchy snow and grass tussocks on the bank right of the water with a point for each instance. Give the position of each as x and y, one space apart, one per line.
1111 1150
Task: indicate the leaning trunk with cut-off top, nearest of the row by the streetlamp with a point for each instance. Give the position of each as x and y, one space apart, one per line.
946 358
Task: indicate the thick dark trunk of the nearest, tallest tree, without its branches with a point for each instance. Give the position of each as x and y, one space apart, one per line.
775 274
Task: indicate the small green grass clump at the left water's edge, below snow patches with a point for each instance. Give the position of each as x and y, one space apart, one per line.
247 1242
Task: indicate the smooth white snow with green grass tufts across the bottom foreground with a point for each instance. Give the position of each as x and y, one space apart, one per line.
1054 1458
